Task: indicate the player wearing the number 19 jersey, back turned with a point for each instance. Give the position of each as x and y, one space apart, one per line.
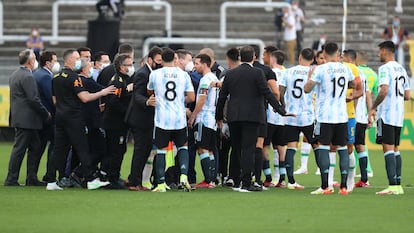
331 81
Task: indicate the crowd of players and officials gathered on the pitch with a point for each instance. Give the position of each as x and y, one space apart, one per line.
86 111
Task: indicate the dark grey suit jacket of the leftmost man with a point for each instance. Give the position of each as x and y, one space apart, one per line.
26 109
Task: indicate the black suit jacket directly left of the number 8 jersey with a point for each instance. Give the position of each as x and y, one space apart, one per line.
139 115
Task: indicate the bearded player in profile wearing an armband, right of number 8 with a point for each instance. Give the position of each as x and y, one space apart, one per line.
204 118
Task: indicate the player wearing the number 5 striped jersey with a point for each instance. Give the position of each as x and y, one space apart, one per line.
291 91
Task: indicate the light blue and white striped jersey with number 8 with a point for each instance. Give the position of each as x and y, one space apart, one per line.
170 85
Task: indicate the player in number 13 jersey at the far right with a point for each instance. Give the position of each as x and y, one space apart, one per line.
389 107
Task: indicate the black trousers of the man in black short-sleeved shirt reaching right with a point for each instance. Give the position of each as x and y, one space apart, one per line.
71 132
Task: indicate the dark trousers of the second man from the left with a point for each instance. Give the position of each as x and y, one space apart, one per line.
47 135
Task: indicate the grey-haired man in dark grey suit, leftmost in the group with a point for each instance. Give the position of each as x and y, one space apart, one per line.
27 114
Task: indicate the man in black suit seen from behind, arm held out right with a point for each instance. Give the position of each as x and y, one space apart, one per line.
247 88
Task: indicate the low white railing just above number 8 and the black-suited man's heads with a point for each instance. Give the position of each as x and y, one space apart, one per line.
190 40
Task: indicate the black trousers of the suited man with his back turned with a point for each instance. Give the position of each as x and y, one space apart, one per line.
243 139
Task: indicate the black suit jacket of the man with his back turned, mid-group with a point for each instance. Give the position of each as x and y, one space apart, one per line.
247 88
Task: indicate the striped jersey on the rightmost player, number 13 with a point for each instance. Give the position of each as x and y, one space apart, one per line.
391 110
